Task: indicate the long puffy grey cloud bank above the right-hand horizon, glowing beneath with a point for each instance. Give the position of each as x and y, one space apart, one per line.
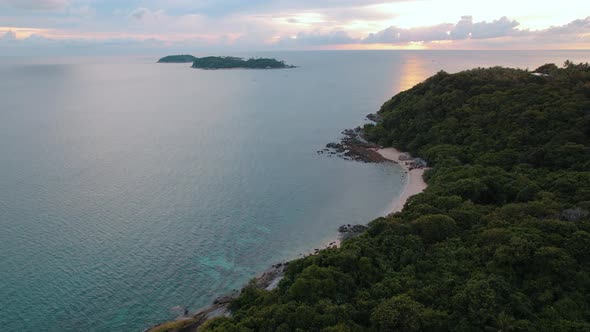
500 33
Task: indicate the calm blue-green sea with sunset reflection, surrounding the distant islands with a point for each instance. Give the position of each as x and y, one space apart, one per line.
129 187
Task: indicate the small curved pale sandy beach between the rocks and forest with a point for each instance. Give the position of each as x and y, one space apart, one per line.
414 185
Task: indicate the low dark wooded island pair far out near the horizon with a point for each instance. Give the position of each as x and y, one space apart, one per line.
226 62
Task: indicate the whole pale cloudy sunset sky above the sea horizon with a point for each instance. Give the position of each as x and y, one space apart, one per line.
185 26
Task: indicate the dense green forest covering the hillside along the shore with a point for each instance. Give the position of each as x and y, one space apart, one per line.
500 239
